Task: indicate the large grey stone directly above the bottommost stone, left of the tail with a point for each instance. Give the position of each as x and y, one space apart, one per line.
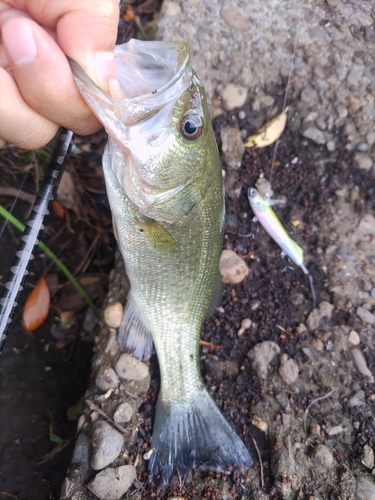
107 444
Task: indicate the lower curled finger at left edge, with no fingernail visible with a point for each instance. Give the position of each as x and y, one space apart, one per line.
24 128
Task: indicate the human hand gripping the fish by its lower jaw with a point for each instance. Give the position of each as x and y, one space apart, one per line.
37 89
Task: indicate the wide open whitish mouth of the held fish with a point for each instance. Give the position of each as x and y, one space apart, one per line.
151 77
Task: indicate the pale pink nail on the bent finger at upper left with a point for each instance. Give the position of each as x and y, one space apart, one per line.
19 42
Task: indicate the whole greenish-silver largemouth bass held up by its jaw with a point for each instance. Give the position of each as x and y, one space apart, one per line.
164 183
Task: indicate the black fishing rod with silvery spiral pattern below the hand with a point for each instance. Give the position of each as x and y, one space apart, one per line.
31 236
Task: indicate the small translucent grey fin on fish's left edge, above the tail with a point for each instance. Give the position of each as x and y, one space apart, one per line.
133 336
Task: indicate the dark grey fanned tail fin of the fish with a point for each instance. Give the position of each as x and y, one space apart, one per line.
188 436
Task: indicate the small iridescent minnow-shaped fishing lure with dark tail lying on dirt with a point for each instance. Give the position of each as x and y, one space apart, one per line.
271 223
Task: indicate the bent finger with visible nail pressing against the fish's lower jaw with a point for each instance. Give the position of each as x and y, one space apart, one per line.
42 74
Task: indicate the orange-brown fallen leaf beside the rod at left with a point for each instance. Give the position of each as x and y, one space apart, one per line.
37 305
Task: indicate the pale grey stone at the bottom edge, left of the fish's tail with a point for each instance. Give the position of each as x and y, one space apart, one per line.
112 484
